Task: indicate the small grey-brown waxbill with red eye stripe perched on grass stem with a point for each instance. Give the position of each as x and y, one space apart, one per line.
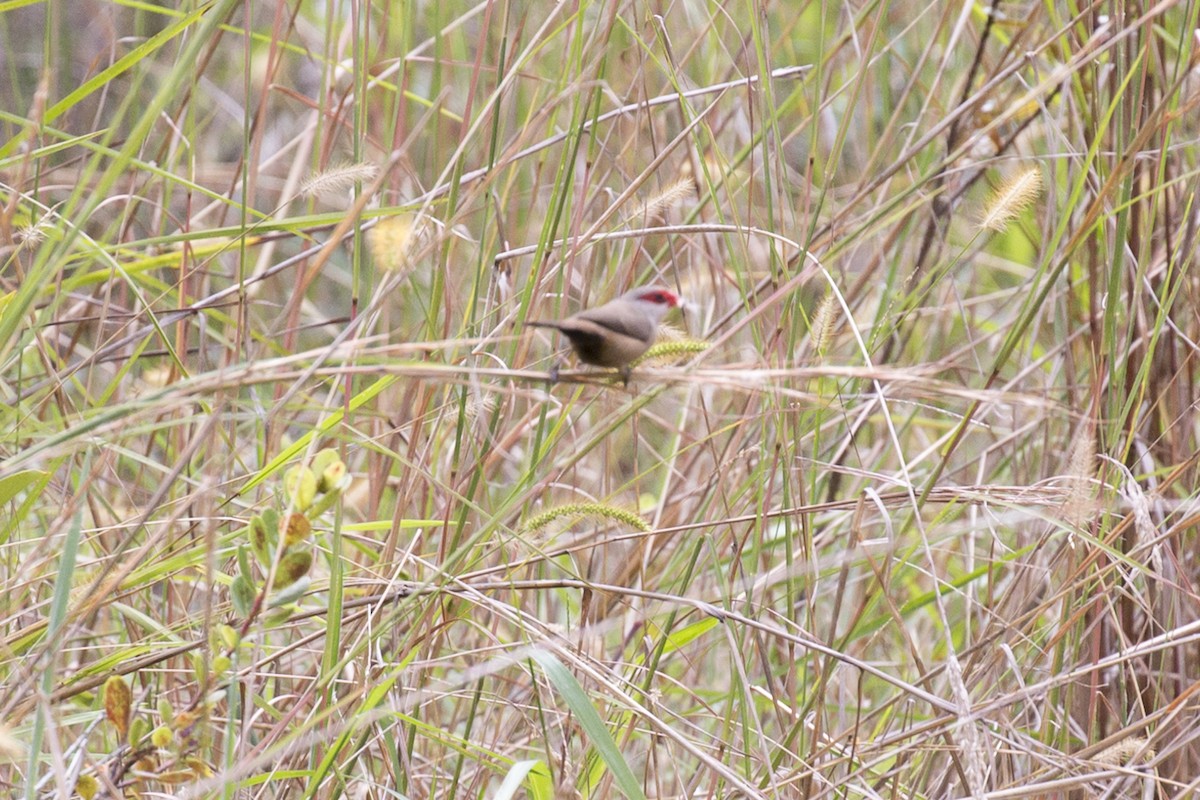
614 335
